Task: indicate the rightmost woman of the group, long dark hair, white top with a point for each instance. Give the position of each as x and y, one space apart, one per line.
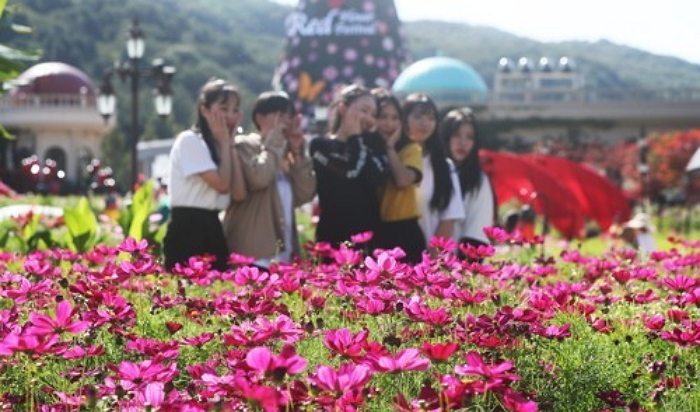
458 133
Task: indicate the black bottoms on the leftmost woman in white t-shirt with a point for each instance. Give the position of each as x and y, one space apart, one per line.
195 232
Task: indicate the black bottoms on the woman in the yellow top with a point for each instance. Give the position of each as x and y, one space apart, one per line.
405 234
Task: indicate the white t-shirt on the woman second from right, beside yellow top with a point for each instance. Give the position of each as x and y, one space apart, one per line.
431 218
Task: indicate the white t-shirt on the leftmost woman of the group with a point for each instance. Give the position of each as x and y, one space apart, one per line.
189 157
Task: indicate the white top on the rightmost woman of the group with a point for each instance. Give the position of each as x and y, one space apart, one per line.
478 213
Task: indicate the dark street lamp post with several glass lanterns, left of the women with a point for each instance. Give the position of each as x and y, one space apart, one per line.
159 72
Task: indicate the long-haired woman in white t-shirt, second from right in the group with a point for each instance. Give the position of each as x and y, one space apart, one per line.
439 193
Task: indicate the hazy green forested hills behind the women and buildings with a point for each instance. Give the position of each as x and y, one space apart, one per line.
242 40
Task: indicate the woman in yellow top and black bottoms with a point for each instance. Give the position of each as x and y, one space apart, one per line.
398 195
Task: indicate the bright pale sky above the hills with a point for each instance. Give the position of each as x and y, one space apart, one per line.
669 28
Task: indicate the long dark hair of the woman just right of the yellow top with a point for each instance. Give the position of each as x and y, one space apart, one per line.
442 179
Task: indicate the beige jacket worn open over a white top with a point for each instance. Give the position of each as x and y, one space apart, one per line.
255 226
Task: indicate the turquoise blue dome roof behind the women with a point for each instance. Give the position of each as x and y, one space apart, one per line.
449 82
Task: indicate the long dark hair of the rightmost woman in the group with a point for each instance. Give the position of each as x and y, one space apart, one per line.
469 171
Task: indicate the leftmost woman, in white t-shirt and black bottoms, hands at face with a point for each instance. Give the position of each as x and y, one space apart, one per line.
204 169
